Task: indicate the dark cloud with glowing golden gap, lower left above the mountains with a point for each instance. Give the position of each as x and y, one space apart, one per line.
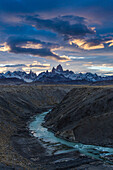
16 44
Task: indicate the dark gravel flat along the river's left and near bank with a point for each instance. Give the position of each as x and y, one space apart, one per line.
30 147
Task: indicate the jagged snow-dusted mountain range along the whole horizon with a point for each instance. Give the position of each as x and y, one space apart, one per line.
56 75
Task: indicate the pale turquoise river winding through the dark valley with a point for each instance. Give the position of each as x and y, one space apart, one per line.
55 145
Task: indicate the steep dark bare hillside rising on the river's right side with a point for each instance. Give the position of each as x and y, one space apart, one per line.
85 115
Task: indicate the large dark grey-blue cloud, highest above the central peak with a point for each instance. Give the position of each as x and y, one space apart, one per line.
62 25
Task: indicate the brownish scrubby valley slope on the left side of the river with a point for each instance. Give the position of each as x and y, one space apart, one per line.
17 104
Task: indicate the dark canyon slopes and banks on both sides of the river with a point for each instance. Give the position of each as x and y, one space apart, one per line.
78 113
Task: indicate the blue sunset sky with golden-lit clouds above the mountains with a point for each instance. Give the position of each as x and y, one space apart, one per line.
39 34
